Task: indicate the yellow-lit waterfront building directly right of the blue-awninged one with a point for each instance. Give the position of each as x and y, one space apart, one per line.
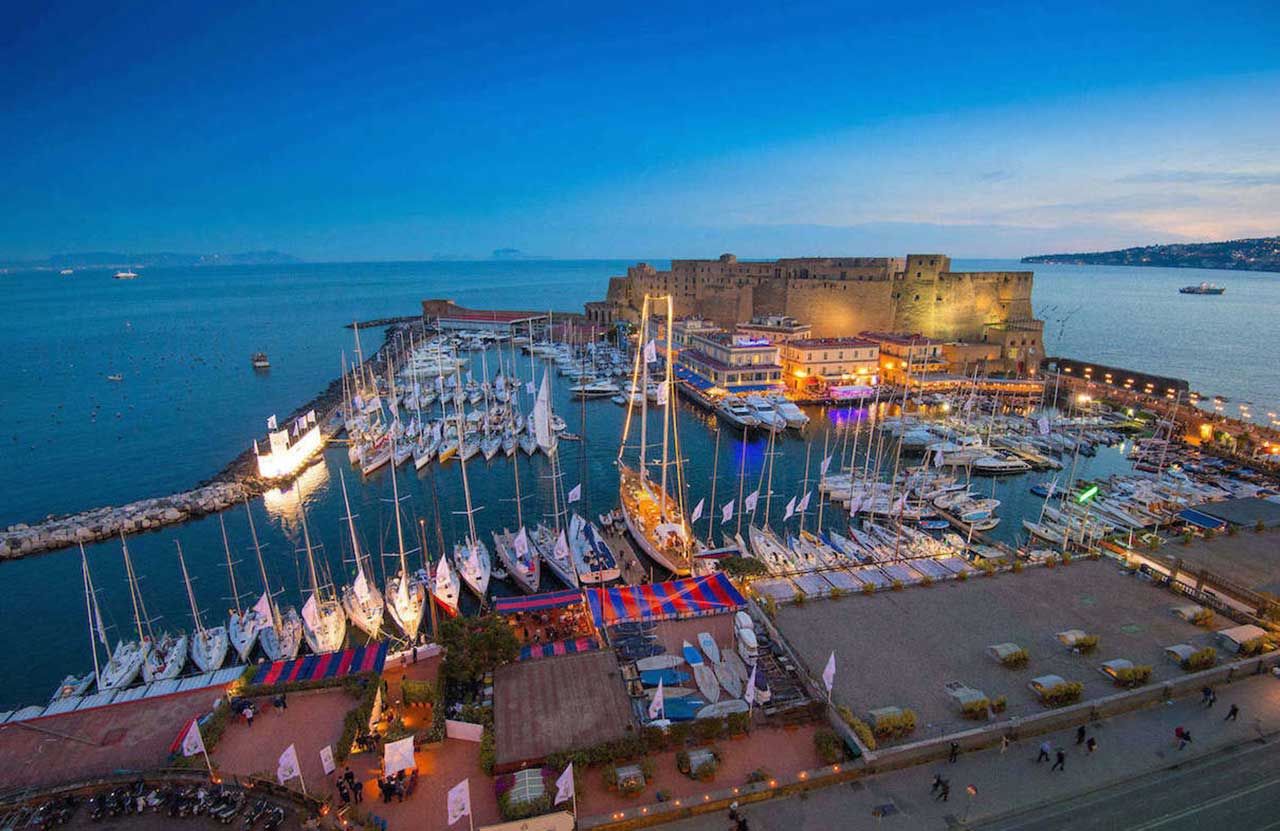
830 368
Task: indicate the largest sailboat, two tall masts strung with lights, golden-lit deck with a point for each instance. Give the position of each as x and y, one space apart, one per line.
652 514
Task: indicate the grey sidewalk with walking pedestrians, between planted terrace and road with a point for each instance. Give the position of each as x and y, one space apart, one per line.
1130 747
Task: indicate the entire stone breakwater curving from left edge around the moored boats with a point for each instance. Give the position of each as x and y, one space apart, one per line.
234 485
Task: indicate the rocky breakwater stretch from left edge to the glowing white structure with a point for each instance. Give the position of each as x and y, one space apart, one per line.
20 541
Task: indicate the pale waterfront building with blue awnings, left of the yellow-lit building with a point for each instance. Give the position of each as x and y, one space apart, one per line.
733 363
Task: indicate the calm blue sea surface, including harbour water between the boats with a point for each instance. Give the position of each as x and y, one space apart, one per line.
190 403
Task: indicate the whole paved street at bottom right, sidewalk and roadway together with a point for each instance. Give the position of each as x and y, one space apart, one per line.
1137 779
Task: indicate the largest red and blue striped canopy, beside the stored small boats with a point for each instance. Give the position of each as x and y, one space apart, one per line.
692 597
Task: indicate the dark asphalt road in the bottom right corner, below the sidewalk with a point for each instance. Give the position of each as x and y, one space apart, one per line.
1232 789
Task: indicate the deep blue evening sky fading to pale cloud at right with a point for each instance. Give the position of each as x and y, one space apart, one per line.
337 133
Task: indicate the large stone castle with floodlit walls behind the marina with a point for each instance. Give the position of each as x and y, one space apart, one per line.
840 296
